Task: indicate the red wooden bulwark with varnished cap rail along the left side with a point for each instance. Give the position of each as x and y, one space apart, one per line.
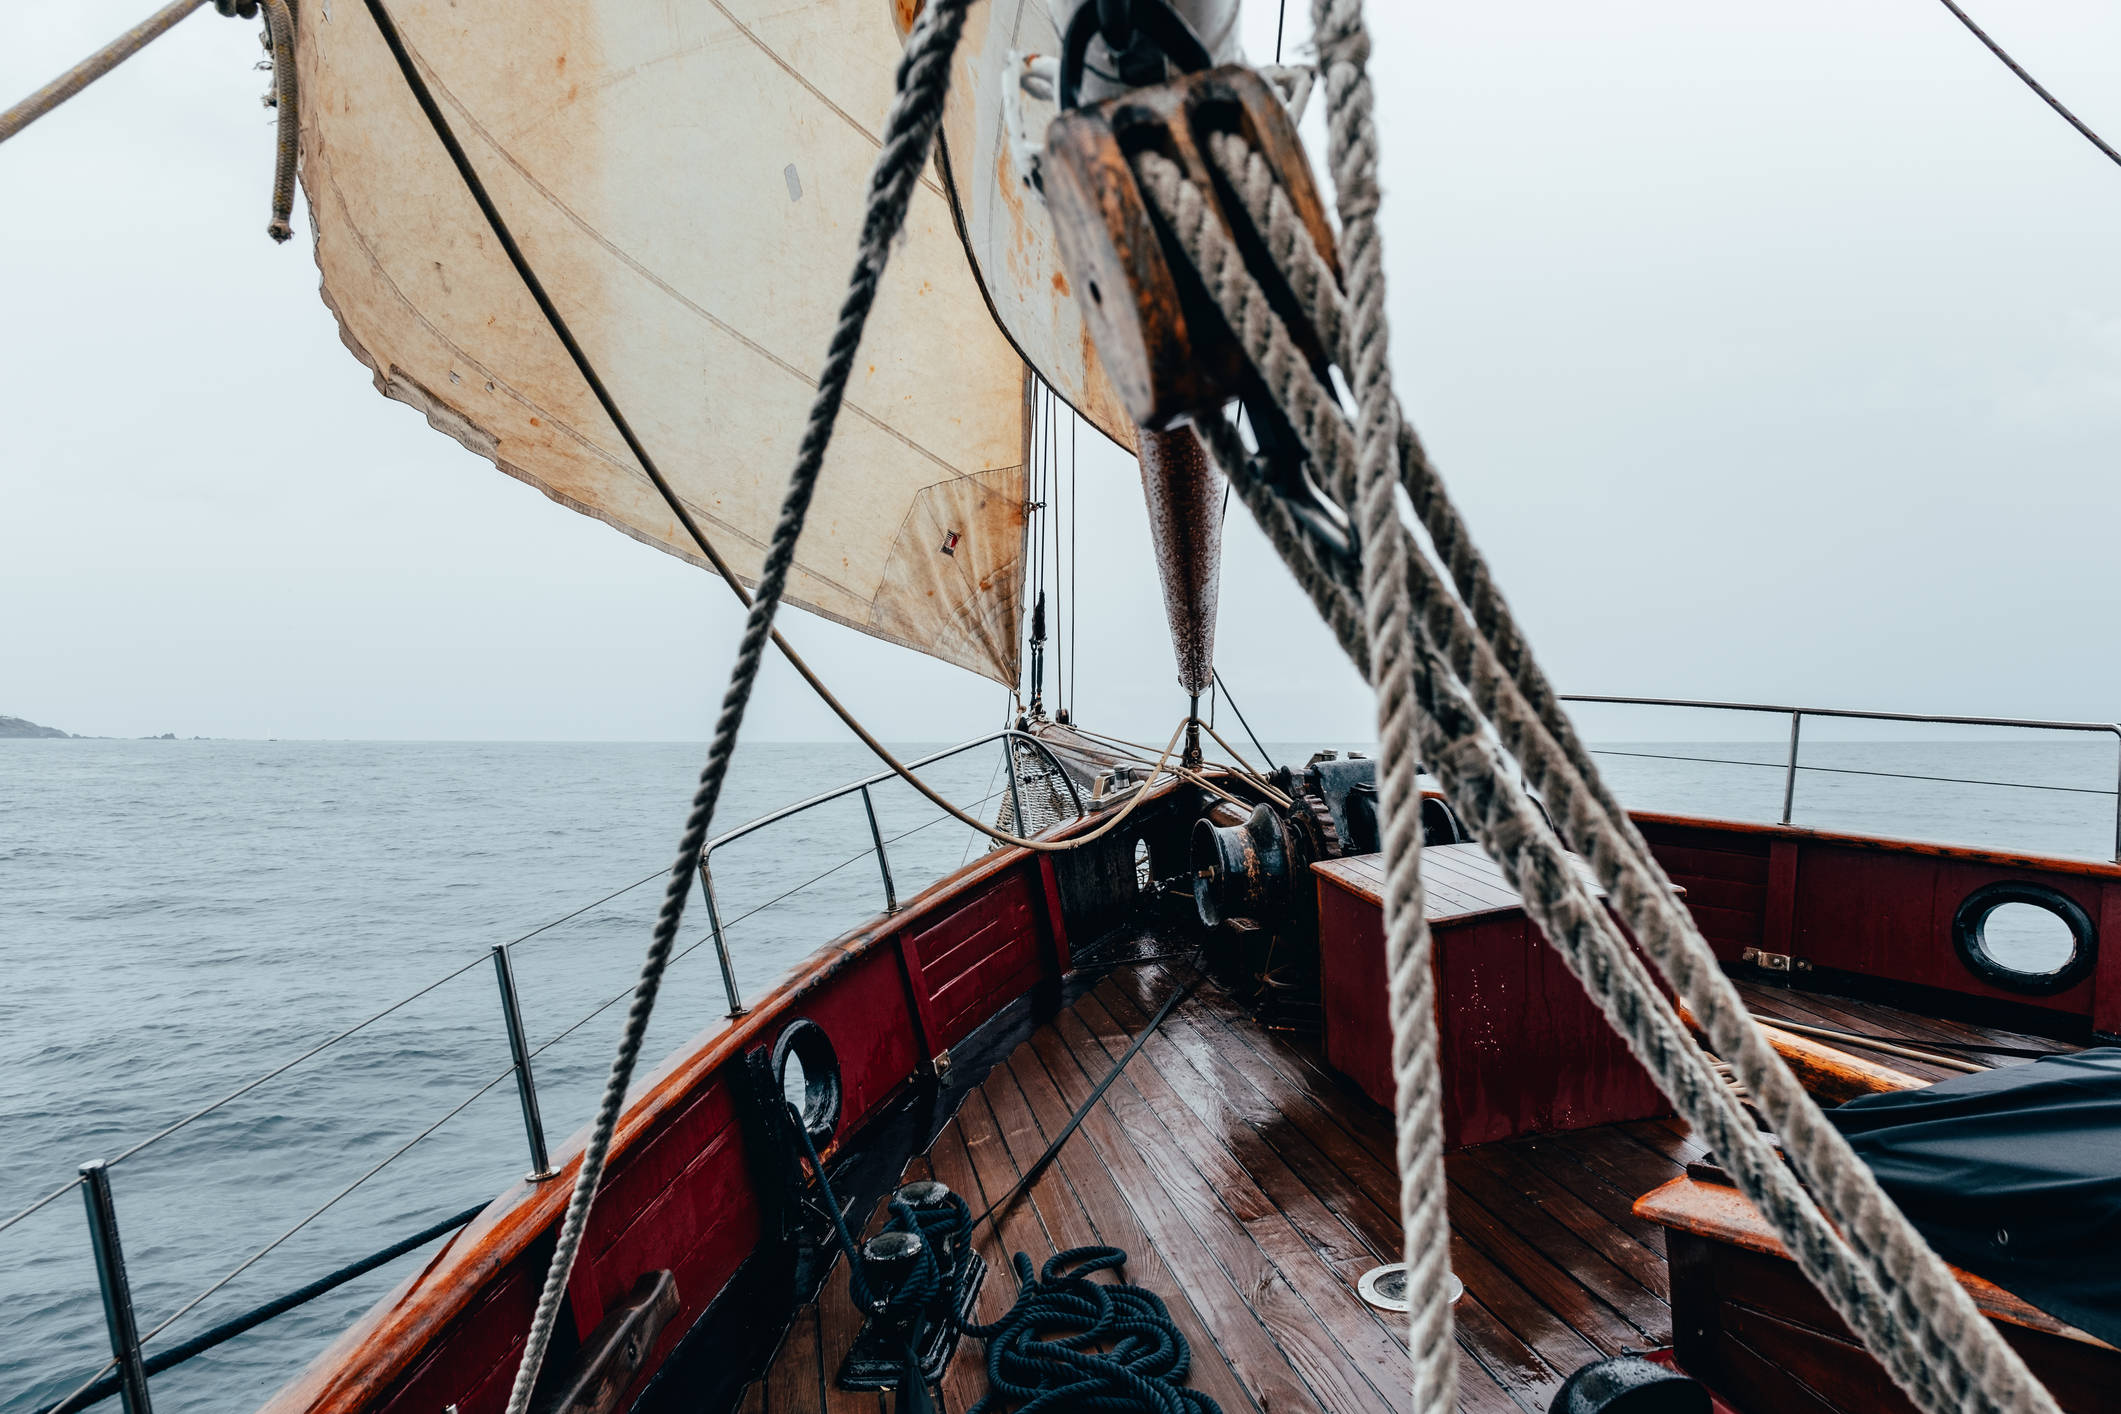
678 1192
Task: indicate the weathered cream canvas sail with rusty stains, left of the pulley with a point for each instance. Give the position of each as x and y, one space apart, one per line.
688 183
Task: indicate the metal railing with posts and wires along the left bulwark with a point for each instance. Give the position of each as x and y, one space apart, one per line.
130 1366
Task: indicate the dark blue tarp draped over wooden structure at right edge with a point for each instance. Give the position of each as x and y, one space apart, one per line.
2014 1176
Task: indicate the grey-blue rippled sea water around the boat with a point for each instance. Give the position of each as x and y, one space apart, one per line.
183 917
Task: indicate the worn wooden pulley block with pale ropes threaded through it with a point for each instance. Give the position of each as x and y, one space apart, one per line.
1159 336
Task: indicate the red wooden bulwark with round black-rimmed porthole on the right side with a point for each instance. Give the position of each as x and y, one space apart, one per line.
1876 908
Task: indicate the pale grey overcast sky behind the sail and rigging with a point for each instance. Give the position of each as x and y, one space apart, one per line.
1772 351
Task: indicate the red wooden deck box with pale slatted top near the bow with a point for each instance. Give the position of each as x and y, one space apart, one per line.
1524 1050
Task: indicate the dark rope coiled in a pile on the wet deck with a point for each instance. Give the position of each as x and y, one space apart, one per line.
1040 1354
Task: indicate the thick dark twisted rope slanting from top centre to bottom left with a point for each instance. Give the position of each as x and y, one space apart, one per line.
909 135
